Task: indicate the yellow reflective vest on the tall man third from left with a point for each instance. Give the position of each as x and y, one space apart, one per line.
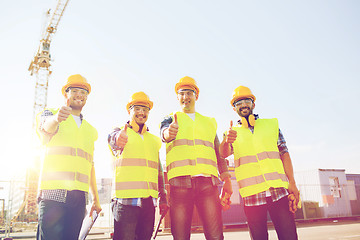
192 152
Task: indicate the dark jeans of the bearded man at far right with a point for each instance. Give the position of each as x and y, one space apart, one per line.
281 217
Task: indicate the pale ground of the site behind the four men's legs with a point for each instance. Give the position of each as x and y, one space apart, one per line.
315 229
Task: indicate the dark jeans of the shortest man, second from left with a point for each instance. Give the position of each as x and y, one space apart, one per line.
131 222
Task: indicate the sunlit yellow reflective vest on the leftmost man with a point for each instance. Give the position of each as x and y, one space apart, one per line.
69 156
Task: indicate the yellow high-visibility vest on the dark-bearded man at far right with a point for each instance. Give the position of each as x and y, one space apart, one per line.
258 166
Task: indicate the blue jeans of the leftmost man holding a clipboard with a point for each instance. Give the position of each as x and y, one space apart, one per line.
61 221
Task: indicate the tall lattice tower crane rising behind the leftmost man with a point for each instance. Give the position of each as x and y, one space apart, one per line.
40 66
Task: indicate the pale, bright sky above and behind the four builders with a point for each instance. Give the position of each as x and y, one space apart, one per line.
299 58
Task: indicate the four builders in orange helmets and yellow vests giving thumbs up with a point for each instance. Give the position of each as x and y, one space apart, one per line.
195 163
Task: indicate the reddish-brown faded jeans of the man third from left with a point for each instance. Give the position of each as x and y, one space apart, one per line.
206 198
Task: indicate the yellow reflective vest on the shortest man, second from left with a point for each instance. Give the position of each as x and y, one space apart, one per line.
137 167
